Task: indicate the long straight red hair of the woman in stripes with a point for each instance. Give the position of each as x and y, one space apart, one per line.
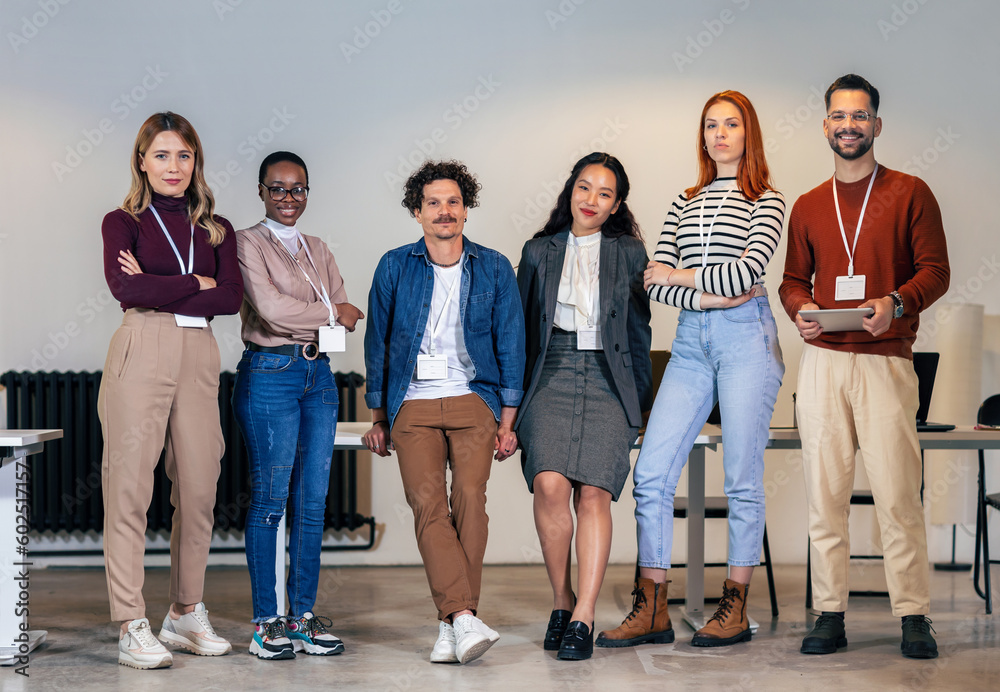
752 175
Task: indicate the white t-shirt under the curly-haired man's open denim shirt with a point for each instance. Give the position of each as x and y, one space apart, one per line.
449 339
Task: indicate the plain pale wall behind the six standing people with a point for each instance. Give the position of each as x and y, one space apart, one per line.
518 90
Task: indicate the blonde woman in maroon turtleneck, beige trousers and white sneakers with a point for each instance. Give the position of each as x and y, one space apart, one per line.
172 264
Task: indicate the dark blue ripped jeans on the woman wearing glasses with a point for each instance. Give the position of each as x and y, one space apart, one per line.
286 407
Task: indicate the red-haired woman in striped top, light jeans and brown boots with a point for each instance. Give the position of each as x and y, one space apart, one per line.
718 238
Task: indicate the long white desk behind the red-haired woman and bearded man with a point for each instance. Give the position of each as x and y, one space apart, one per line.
780 438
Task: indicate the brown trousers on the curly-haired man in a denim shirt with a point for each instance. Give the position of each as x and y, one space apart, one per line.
430 436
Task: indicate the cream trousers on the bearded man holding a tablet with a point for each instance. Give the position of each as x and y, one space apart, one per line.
850 401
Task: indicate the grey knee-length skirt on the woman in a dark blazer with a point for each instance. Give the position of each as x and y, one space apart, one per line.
575 423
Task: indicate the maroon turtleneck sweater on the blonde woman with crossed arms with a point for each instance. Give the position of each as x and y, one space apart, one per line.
161 285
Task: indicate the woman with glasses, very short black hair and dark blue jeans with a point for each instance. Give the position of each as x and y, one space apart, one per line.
286 402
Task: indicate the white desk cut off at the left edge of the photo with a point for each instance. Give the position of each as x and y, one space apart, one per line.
15 446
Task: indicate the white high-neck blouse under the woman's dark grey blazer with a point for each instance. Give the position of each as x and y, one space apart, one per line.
579 300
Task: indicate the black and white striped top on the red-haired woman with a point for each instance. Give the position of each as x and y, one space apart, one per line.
741 225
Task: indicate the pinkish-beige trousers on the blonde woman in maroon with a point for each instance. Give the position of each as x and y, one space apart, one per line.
159 389
